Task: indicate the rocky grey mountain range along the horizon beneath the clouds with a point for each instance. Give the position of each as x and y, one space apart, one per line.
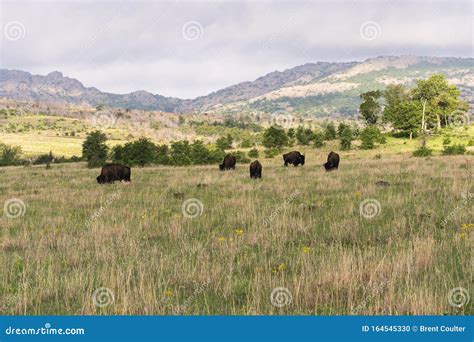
317 89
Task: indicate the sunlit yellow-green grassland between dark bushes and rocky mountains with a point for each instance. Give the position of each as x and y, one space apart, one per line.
38 133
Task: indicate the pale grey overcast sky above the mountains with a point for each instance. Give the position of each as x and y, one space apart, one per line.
188 49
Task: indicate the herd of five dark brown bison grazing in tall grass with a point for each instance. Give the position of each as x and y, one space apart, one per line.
117 172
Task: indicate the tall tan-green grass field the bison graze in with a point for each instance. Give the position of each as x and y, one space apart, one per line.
82 248
